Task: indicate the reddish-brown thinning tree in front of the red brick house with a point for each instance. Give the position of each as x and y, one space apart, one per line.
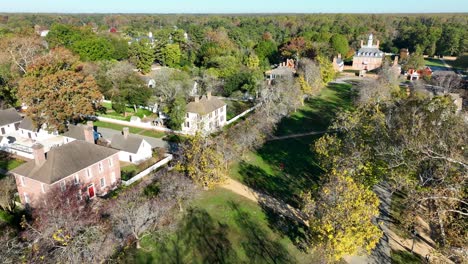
64 228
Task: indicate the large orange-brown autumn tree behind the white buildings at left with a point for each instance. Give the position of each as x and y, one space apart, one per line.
56 91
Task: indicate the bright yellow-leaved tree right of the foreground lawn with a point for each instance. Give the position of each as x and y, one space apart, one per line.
341 217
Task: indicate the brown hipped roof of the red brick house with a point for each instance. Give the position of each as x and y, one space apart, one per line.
64 161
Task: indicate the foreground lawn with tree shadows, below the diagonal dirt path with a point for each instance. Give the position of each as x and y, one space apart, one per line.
222 227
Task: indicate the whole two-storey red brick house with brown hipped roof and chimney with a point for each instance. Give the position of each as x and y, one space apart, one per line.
94 169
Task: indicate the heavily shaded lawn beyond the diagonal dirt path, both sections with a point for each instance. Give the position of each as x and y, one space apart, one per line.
284 168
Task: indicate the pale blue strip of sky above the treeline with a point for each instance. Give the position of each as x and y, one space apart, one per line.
234 6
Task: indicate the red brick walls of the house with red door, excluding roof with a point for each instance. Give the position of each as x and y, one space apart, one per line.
34 190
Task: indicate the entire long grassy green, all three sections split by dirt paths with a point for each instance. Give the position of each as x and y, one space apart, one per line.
227 228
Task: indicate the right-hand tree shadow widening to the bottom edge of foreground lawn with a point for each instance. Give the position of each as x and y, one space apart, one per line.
257 244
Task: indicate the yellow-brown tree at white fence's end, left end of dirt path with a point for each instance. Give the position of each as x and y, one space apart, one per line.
201 162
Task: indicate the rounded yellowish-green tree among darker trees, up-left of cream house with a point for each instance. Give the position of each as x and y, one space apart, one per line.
141 55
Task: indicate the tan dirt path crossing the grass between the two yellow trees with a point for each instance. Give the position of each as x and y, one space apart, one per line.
266 200
